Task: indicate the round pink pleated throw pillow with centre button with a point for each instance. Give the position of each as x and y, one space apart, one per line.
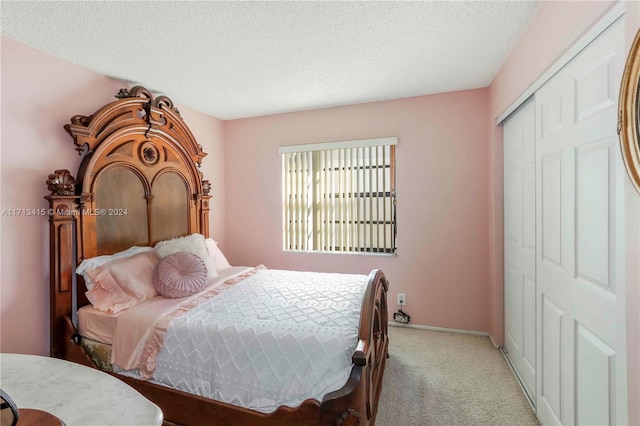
180 274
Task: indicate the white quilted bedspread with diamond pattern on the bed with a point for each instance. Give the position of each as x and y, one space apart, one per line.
275 338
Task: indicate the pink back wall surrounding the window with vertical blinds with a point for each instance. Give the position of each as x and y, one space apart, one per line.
442 262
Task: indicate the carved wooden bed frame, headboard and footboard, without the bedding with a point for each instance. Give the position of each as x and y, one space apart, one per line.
139 184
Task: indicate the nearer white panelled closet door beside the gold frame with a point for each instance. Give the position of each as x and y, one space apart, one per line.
580 238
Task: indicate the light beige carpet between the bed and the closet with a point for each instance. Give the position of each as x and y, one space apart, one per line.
441 378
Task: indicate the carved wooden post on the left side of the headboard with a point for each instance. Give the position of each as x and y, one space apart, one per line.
62 212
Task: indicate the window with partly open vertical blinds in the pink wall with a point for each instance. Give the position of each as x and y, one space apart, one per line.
340 196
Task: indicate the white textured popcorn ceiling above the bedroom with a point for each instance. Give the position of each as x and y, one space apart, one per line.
233 59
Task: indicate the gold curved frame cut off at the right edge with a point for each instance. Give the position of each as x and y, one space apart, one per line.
629 113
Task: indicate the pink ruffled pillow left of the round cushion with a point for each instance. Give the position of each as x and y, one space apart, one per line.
123 283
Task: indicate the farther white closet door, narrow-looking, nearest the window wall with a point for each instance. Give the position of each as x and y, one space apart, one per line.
520 245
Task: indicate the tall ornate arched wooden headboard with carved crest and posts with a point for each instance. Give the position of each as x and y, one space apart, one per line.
138 184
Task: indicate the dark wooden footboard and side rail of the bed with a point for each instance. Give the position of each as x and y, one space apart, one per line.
354 404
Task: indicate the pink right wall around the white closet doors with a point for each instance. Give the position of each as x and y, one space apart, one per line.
556 27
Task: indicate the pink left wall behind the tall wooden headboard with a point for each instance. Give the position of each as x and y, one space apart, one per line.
40 94
